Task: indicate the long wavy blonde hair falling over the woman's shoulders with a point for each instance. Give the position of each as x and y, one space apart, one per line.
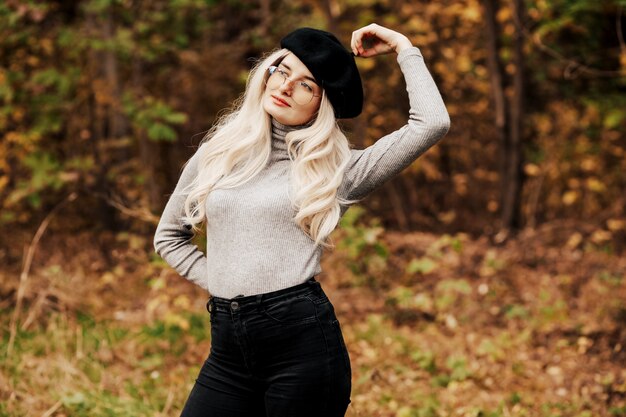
238 146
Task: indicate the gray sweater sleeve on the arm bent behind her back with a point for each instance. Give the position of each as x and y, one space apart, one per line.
172 239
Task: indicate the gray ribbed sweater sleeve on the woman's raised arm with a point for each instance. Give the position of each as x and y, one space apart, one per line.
428 122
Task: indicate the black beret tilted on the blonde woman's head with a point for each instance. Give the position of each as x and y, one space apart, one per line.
332 66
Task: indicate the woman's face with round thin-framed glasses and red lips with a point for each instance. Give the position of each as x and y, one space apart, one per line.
286 101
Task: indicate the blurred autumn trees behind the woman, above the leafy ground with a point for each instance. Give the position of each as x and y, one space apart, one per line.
109 97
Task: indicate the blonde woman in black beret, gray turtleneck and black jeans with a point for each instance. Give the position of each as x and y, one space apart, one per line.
270 182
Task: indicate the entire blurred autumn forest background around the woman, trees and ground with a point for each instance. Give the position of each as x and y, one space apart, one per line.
487 279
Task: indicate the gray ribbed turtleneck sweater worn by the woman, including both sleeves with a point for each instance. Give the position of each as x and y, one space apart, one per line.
253 244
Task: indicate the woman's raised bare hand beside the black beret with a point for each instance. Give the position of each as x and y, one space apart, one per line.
373 39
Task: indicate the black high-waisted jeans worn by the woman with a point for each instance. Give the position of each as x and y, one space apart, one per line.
278 354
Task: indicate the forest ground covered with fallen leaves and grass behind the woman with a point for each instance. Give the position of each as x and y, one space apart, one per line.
436 325
